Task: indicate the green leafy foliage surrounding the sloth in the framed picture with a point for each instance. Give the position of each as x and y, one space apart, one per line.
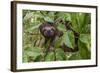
33 41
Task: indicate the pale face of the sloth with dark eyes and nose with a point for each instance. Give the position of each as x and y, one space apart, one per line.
49 31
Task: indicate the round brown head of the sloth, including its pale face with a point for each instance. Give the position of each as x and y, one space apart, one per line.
48 30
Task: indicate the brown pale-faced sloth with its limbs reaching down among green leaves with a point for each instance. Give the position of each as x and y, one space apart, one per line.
50 32
